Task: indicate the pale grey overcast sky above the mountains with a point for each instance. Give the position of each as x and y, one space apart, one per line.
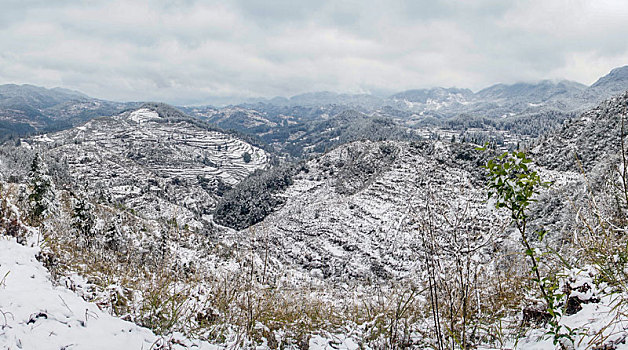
191 52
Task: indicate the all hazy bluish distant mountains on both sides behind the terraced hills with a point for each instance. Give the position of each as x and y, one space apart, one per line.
546 104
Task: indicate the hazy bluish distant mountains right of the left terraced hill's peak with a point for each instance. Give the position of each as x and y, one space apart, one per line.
508 114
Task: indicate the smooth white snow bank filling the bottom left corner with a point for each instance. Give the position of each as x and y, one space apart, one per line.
34 314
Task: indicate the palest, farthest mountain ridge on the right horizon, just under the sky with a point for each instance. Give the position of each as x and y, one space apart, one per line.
561 95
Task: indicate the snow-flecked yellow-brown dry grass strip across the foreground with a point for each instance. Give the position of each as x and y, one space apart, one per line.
225 306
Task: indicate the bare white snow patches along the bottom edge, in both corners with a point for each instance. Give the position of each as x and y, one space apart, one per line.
35 314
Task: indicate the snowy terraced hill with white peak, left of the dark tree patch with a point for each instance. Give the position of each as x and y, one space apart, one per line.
161 167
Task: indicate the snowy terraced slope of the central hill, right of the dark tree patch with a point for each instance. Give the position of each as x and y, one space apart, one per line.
353 215
